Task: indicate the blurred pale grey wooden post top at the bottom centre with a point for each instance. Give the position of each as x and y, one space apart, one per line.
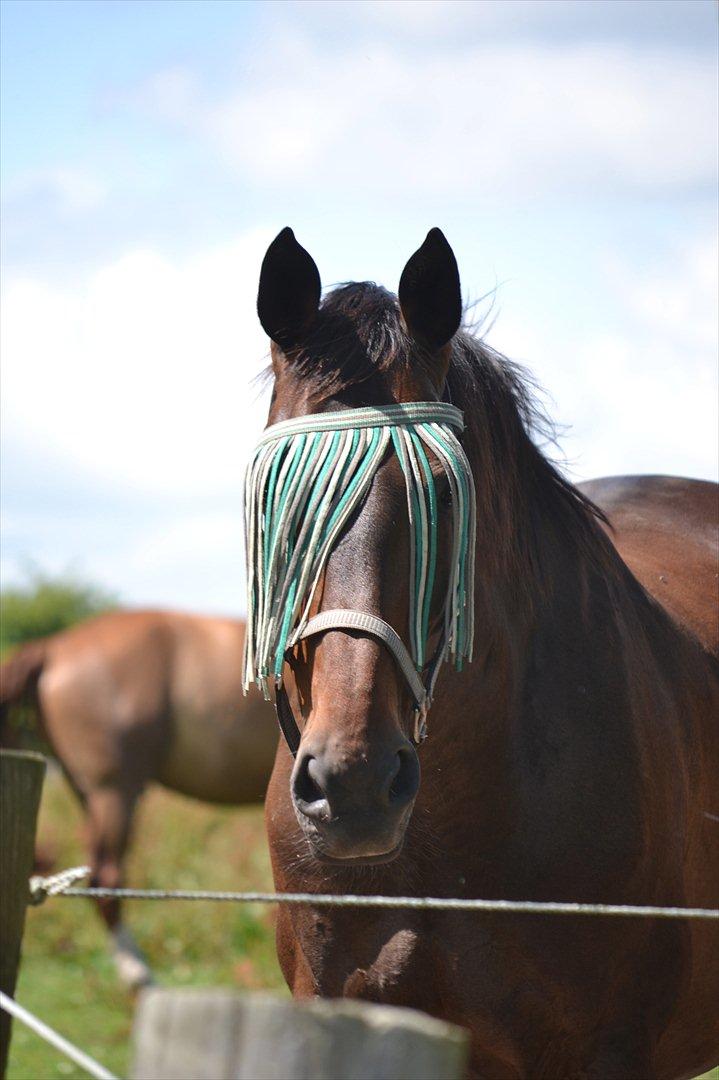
220 1035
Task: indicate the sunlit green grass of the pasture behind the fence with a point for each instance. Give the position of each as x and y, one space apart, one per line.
67 977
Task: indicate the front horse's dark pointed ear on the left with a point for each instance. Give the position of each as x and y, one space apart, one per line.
290 290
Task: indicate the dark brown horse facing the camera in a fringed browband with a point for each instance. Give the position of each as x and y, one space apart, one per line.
575 760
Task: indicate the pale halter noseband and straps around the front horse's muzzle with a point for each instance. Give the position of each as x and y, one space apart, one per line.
348 619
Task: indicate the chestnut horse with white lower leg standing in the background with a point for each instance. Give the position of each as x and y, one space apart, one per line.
133 697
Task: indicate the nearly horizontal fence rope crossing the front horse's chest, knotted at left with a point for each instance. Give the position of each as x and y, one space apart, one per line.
62 885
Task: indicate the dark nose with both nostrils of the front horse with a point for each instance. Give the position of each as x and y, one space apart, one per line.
327 788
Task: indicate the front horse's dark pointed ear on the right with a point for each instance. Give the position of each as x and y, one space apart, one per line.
430 294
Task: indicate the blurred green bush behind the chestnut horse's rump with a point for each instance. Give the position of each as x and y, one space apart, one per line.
46 605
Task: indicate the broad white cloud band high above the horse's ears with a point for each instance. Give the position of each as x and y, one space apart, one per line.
510 118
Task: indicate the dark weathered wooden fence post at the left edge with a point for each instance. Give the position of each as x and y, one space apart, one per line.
21 786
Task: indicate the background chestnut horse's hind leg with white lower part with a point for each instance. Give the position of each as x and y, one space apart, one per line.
111 813
